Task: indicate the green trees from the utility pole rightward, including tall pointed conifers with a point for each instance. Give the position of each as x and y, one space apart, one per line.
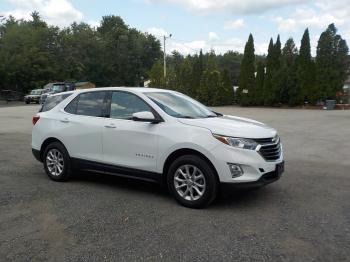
285 76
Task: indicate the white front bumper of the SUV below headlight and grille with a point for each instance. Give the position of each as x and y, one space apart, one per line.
255 168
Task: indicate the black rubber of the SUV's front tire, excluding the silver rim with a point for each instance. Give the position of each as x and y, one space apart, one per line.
211 181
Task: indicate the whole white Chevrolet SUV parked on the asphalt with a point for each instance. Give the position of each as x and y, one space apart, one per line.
156 135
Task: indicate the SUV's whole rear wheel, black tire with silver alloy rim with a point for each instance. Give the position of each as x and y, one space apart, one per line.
57 162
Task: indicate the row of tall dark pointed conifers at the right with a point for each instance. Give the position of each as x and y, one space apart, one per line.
292 77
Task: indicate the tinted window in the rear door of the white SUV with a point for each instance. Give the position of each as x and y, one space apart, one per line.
87 104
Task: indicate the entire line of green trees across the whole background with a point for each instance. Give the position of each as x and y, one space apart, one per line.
33 53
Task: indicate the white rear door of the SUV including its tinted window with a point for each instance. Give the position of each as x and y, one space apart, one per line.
82 122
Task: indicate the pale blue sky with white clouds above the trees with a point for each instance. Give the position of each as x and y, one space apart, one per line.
220 25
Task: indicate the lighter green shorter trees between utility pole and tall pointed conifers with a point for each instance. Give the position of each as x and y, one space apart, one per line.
207 77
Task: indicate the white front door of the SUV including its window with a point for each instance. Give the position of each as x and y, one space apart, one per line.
129 143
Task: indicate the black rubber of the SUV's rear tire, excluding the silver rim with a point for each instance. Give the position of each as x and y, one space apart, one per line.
66 171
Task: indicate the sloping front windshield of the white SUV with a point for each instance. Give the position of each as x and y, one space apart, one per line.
179 105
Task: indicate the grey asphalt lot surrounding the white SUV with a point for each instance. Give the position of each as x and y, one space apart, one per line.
305 216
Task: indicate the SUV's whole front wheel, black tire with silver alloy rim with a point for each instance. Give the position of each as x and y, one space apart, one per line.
192 181
